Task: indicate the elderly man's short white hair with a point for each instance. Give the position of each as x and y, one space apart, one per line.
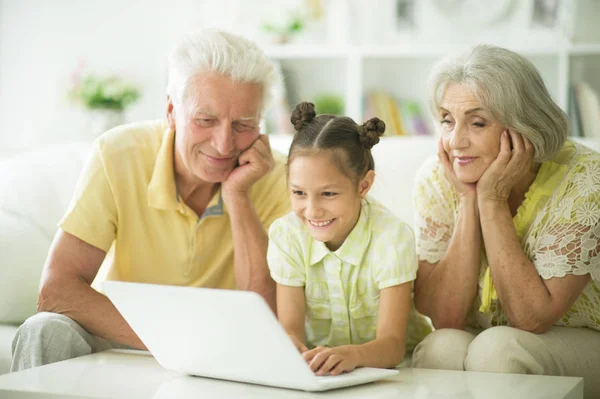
220 52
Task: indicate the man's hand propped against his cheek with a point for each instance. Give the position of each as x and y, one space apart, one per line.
254 163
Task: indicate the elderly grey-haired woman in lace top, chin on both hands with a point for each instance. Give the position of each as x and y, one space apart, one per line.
508 227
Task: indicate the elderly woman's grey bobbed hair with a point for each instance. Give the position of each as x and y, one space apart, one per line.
510 87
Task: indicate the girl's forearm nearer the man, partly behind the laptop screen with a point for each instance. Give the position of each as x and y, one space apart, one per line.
290 311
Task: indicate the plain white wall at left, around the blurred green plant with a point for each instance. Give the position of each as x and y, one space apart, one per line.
42 43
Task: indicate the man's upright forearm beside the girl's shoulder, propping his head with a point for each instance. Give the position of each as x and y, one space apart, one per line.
250 242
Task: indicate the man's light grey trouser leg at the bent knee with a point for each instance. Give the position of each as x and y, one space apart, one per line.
51 337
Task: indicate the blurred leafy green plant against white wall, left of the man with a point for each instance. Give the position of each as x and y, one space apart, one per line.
109 92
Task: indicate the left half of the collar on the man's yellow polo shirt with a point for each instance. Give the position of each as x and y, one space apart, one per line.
162 191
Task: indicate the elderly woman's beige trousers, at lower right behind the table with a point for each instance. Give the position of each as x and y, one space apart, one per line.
566 351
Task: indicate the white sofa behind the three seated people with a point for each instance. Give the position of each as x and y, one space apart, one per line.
36 187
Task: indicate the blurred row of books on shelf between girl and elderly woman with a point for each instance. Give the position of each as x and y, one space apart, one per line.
403 117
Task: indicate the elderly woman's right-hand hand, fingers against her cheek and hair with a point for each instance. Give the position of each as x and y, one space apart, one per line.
508 168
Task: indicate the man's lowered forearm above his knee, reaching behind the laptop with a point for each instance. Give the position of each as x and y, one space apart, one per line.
92 310
